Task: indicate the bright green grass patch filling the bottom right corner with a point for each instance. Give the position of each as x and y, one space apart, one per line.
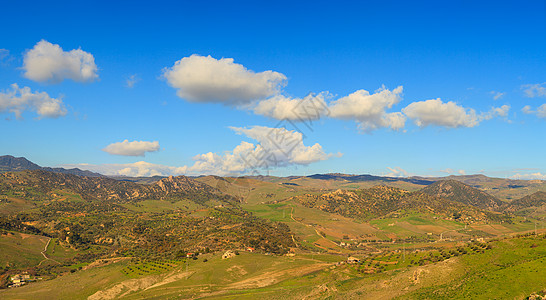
514 268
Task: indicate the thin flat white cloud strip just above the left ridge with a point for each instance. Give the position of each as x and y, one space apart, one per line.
137 169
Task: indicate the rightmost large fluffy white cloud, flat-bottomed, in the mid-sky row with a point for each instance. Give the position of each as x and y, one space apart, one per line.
436 112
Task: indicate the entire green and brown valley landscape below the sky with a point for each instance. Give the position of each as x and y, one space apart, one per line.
297 237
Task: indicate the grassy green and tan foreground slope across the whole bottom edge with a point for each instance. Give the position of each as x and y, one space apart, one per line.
510 268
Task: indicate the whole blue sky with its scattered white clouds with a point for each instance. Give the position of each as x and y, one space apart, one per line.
473 78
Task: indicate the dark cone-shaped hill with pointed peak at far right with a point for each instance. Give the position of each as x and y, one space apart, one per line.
459 192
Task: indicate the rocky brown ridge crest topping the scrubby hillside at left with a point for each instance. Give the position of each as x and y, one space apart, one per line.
40 184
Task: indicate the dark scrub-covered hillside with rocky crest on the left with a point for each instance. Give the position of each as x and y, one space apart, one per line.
98 216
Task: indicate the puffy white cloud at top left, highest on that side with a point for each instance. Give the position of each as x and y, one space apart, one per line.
47 62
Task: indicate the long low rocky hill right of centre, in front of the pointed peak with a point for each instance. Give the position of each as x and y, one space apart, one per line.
382 201
